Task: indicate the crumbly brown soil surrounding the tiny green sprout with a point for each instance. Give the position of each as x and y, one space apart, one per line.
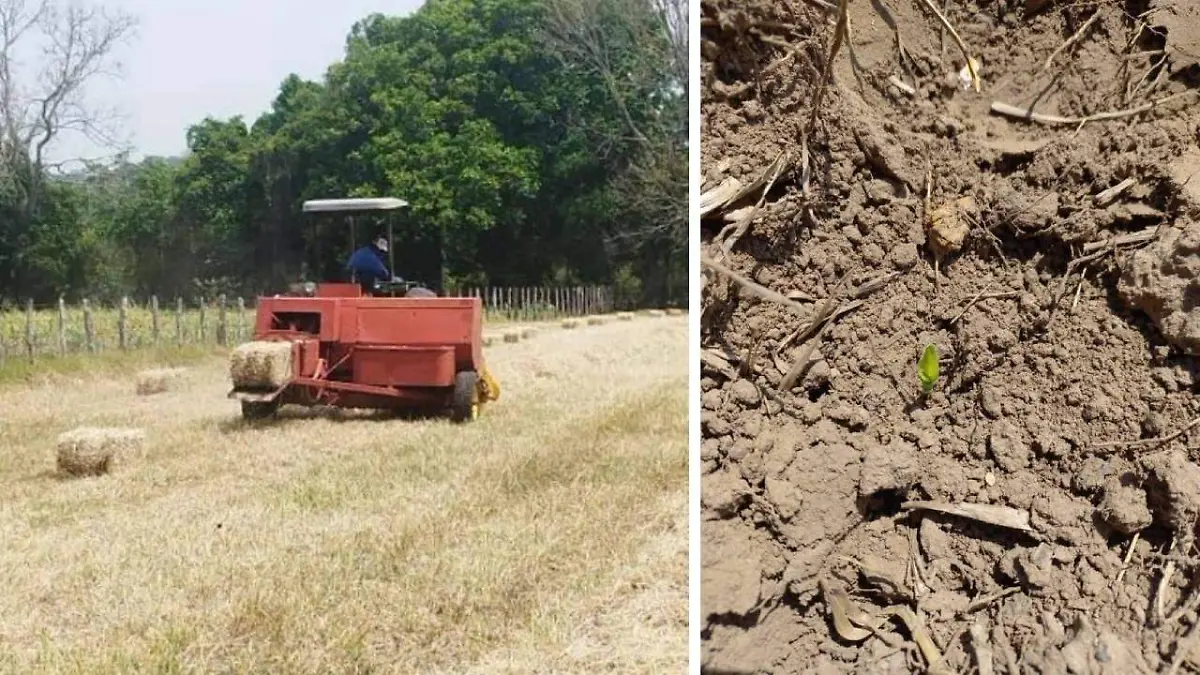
1046 390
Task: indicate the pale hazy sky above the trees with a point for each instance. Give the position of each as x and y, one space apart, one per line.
195 58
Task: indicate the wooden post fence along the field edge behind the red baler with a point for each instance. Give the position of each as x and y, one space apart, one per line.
46 332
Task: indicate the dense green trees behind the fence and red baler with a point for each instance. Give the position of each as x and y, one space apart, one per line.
538 142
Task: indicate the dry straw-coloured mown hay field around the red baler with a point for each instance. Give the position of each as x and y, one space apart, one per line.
550 536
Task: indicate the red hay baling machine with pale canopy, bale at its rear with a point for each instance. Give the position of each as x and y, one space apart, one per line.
395 348
